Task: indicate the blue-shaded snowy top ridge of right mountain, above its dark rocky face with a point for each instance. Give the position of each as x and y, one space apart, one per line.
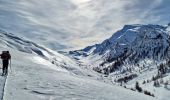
127 34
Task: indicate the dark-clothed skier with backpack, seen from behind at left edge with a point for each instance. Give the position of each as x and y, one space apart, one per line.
5 56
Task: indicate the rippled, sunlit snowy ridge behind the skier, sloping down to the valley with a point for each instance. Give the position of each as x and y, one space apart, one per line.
17 43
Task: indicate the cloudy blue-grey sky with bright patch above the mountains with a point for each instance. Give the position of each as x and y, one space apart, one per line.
74 24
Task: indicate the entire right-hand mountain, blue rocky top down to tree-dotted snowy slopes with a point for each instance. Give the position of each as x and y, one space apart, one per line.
135 53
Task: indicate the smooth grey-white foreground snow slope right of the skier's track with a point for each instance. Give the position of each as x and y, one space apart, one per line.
29 80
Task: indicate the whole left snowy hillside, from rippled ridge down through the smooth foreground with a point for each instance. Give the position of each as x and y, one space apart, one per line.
33 76
